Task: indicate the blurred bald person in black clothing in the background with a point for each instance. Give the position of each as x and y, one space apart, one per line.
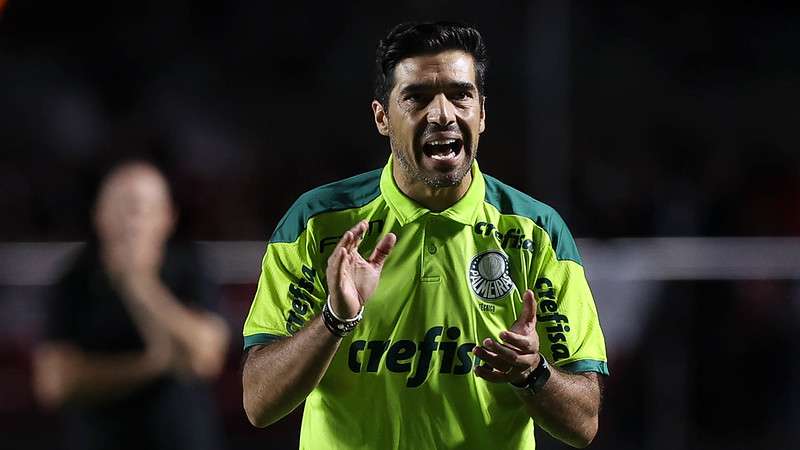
132 339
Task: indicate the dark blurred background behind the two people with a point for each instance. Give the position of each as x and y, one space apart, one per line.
633 121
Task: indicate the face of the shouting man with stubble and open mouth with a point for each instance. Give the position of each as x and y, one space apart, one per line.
434 117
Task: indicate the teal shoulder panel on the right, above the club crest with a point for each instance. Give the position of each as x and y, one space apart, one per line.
508 200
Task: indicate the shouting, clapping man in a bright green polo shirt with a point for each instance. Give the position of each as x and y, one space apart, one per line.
385 346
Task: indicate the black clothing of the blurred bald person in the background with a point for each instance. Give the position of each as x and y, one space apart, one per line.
165 413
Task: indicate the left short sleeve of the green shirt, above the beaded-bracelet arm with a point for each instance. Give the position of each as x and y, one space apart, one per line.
289 293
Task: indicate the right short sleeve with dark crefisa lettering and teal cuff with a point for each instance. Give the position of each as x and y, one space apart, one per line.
567 321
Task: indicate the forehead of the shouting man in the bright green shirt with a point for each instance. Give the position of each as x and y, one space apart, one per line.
437 68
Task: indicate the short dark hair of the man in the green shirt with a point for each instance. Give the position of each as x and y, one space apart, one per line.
412 39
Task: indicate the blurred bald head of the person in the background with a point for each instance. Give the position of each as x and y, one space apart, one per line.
134 202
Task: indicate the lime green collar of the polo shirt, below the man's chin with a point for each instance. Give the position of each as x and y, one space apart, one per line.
408 210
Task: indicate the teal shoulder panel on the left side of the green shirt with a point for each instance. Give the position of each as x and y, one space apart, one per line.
353 192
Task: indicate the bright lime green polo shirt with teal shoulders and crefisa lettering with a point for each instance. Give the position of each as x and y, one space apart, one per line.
403 379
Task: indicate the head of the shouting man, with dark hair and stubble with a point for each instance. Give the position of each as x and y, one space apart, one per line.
429 99
